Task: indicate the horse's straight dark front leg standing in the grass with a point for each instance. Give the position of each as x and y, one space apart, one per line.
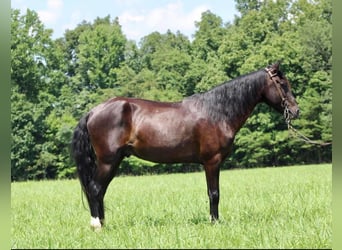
212 173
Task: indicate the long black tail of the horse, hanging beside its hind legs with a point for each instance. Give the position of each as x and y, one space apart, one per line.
83 154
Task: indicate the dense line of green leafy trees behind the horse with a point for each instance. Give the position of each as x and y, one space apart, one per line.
54 82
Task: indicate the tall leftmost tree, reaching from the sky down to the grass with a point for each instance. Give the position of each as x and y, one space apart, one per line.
30 51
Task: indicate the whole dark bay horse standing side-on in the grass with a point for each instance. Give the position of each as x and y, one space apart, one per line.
199 129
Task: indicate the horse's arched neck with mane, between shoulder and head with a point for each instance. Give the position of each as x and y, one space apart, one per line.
230 103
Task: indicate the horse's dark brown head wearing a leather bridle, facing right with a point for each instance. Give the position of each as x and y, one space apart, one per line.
278 93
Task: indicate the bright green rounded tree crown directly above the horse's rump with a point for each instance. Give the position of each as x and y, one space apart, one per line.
101 50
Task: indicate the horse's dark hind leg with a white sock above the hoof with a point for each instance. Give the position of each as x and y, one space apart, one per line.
105 172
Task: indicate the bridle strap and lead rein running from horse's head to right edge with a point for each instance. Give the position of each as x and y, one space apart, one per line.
287 115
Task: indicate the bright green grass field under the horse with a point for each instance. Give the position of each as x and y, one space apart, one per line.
286 207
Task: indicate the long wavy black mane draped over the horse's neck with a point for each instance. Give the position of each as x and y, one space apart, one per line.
231 98
